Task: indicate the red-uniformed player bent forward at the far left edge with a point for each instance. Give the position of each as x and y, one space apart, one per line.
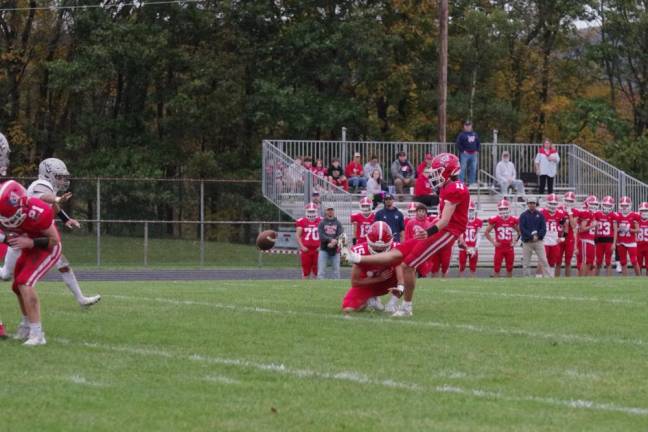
28 225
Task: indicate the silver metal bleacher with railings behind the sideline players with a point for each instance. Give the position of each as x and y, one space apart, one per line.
289 186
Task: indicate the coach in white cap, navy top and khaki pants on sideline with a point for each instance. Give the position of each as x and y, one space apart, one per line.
533 228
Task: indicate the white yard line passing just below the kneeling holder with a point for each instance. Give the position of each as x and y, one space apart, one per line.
473 328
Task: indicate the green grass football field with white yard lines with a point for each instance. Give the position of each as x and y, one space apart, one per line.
479 355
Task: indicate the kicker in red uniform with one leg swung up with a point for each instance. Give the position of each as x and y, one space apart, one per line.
454 201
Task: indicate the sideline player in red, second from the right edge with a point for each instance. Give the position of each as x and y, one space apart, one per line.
626 227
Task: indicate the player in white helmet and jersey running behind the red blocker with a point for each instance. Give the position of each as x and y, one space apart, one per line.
53 178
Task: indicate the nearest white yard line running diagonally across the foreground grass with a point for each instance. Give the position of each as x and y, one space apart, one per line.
361 378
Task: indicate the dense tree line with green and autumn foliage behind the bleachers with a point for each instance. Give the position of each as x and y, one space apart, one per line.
189 89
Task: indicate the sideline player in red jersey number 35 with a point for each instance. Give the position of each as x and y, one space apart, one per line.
505 226
